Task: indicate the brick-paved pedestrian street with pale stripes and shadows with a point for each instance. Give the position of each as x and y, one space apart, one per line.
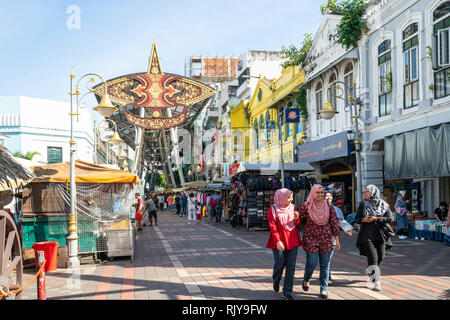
180 261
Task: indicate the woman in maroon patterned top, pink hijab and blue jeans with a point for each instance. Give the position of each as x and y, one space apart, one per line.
321 226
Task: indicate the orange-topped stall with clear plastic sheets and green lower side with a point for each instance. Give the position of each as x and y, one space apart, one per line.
104 212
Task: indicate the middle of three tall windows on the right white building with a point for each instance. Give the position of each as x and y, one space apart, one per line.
411 66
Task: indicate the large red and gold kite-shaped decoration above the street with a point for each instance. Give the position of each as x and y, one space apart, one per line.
156 91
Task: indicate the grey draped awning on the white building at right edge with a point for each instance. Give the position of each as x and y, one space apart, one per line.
422 153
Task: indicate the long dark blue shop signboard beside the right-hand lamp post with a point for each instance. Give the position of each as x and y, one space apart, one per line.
331 147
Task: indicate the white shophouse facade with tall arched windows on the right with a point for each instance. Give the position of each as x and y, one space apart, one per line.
404 92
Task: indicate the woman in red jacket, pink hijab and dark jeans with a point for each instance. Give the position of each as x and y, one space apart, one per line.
284 240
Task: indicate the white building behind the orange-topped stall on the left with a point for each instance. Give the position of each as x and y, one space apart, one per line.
43 126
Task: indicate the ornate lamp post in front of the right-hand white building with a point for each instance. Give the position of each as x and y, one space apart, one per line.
351 104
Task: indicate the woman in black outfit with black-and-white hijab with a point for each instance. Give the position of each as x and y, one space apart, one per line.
373 215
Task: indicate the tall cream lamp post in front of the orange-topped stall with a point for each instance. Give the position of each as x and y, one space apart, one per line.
106 106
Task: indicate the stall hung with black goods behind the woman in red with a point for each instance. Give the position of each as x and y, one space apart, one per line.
254 186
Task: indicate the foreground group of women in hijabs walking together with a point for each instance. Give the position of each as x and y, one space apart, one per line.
322 222
